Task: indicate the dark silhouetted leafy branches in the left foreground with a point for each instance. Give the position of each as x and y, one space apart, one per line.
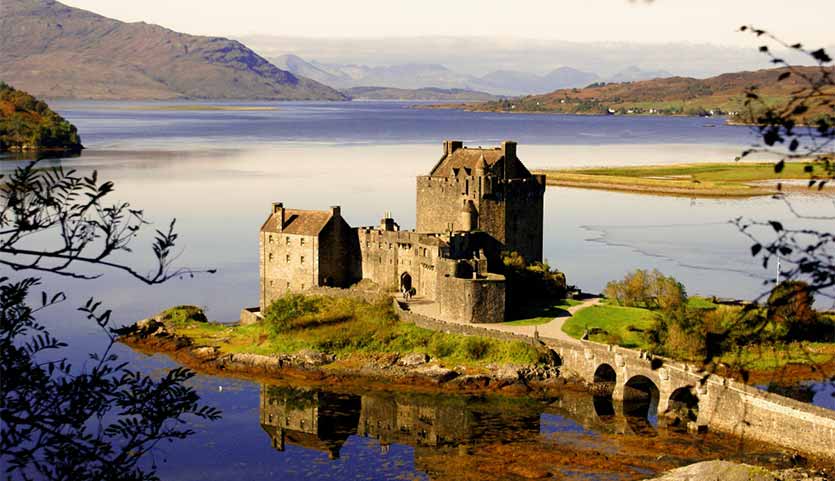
60 422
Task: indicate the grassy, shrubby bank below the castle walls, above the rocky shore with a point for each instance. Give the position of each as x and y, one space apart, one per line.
344 328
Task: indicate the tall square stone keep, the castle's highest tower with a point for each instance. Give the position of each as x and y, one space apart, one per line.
502 198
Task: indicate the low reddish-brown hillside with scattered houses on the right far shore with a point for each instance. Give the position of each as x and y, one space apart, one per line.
723 94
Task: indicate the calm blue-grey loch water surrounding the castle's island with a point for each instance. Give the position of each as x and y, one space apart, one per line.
216 172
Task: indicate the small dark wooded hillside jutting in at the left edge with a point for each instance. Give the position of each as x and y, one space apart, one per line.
28 124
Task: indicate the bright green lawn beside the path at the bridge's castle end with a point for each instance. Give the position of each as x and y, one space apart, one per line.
622 324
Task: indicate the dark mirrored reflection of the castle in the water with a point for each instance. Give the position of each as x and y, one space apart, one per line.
323 421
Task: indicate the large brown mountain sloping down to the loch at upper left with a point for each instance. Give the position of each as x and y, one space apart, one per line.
57 51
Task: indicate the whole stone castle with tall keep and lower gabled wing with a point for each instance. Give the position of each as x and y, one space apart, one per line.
474 204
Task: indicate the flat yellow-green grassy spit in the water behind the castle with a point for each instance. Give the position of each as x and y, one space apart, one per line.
732 179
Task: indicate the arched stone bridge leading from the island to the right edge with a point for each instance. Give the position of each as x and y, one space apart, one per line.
676 392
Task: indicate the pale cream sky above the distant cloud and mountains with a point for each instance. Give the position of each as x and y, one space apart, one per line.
657 21
